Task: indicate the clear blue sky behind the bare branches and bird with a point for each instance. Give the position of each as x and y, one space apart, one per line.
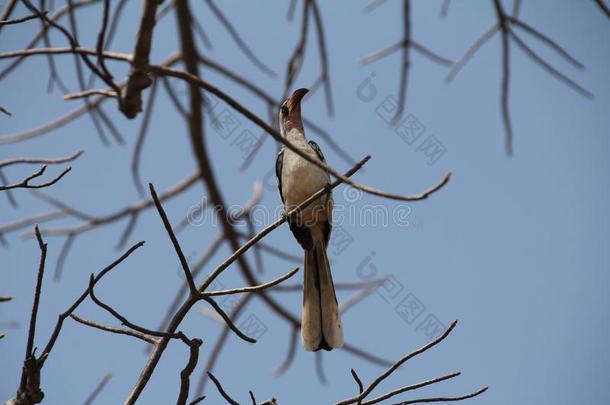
515 248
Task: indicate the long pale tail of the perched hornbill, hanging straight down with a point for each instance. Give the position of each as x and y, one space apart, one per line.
321 323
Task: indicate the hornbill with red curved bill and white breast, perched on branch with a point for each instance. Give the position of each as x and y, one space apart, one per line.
298 179
